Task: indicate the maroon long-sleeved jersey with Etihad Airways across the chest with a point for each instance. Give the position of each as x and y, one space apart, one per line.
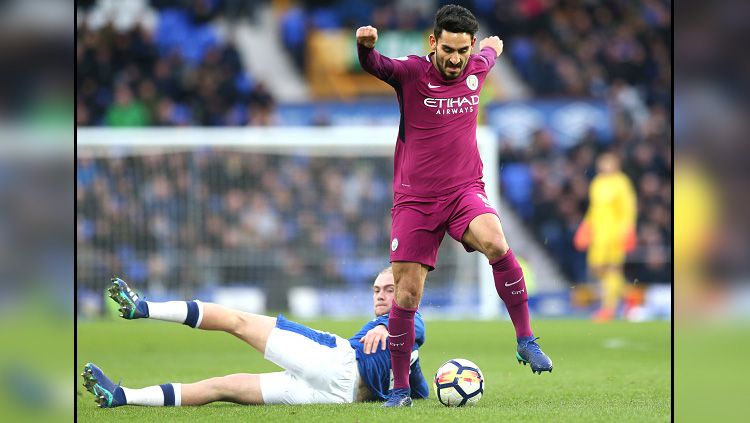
436 150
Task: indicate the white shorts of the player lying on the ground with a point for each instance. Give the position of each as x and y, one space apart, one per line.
321 368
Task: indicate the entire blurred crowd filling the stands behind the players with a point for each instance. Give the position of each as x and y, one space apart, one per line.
613 50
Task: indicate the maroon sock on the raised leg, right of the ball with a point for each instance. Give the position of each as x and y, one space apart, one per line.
511 288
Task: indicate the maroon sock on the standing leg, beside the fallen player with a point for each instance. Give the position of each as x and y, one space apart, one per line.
400 342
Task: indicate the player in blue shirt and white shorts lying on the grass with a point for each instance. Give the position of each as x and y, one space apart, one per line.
320 368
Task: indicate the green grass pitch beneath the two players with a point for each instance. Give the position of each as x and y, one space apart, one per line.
611 372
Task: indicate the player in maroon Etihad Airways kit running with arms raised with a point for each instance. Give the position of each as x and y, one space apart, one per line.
437 184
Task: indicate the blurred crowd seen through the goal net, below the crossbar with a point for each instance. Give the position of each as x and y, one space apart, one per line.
230 217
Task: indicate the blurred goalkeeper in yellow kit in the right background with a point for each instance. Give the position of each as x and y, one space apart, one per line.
608 231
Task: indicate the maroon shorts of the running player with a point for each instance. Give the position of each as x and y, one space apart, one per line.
419 223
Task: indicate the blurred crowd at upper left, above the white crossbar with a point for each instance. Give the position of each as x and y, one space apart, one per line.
139 77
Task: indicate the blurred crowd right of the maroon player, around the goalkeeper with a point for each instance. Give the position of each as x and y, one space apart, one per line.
617 51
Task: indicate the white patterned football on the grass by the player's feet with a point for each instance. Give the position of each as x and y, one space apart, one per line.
459 383
